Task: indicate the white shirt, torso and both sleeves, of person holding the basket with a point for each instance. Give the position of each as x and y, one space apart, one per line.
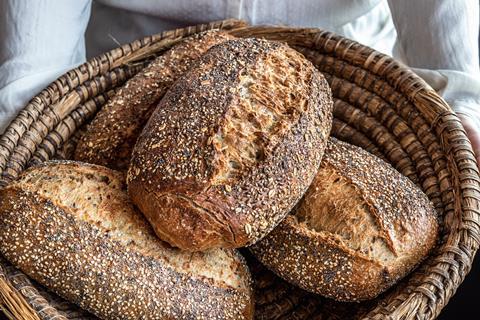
42 39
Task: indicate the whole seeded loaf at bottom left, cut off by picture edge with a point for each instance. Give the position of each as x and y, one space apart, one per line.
71 227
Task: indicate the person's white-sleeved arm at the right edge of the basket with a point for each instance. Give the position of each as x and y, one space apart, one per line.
442 36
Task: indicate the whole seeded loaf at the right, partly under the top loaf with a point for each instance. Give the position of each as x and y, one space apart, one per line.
360 227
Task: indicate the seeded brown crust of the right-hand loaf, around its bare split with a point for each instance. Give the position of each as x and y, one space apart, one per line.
319 262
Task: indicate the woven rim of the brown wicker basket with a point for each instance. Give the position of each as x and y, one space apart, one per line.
55 113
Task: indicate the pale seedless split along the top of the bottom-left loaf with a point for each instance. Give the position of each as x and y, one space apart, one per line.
97 195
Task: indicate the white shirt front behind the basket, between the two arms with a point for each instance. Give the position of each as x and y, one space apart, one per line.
368 21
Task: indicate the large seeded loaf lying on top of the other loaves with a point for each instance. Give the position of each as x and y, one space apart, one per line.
232 146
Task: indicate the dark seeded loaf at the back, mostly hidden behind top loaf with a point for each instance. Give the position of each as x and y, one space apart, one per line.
111 135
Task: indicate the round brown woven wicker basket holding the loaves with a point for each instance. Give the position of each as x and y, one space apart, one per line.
380 105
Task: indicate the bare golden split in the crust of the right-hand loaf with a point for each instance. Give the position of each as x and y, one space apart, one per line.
337 210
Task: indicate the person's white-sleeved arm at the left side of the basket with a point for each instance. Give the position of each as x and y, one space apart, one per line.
39 41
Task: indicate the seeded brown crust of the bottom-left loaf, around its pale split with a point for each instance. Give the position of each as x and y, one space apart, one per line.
85 264
